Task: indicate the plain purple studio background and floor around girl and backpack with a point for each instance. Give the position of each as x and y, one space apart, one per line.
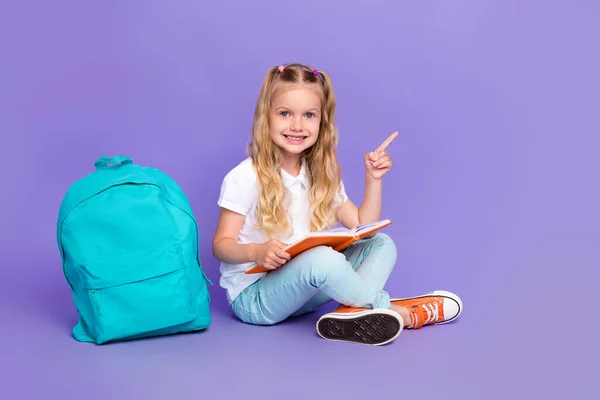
493 194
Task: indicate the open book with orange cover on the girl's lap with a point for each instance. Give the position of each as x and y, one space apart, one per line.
337 238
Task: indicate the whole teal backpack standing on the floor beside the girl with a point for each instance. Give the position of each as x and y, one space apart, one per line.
129 247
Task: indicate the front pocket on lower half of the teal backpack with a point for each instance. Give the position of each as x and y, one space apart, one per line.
137 293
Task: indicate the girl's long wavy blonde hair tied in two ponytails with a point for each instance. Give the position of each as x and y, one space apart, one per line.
322 167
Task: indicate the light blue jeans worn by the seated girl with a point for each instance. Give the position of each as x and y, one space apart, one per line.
354 277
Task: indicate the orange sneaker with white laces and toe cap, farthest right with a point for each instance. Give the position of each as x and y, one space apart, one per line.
437 307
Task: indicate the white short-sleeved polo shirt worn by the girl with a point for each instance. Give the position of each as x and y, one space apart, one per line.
239 194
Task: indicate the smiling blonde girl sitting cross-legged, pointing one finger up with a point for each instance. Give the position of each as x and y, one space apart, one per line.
291 185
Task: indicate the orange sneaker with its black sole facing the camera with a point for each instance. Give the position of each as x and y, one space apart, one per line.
360 325
